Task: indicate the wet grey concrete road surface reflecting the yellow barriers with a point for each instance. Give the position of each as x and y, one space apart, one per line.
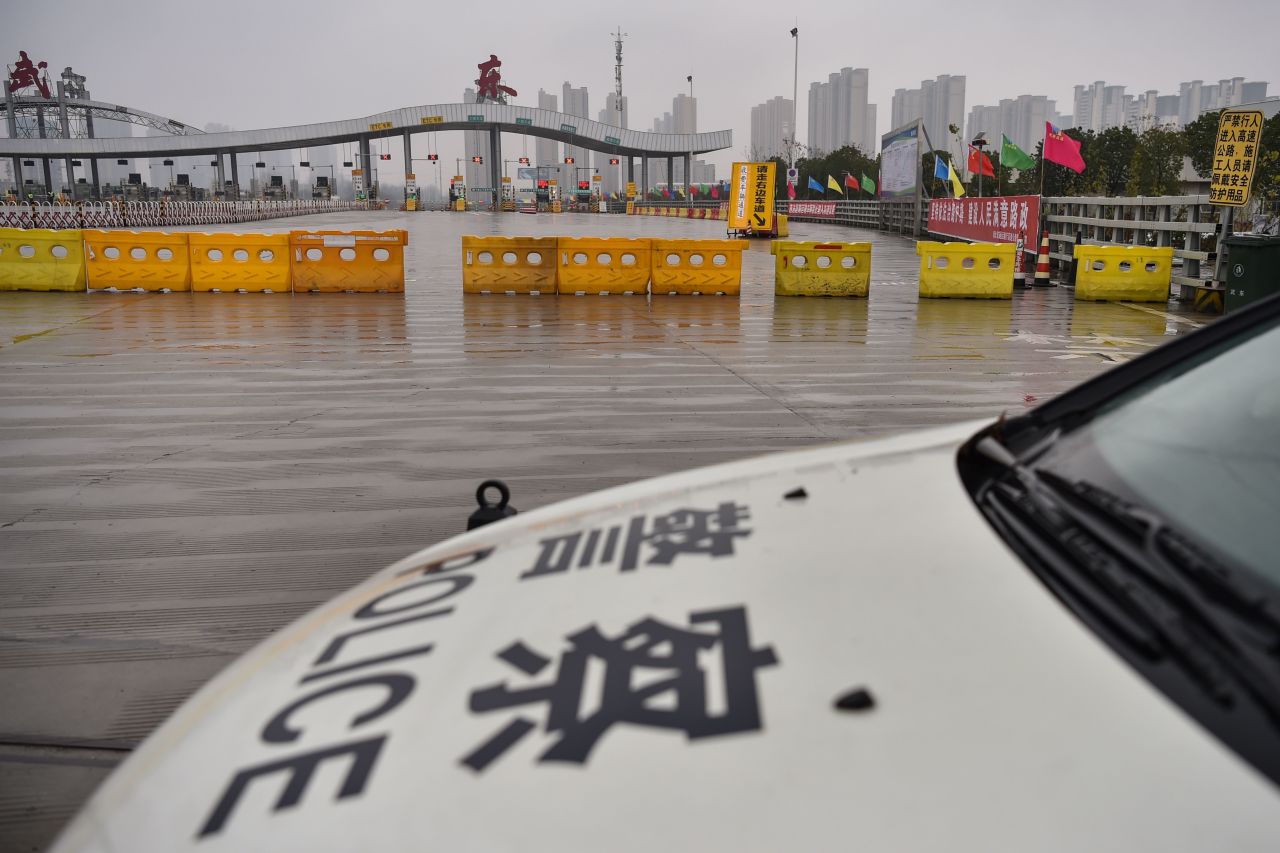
185 475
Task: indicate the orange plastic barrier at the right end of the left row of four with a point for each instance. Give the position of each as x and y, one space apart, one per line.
340 262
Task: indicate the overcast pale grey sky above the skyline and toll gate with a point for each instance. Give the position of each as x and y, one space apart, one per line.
285 62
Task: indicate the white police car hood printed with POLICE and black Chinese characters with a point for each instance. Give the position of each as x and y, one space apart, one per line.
659 667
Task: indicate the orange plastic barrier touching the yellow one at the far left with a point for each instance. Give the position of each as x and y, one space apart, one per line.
138 261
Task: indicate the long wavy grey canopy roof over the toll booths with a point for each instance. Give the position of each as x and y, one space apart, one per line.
495 118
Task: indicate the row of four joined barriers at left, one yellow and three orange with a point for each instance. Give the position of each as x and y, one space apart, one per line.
300 262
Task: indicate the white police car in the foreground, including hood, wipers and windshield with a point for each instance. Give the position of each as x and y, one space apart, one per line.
1053 633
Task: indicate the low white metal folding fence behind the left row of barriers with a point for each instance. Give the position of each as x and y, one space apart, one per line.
149 215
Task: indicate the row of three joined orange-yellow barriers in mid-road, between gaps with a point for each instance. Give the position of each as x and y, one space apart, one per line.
600 266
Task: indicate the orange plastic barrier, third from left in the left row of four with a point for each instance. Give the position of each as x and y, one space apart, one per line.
231 263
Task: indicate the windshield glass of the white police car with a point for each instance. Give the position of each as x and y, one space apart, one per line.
1200 445
